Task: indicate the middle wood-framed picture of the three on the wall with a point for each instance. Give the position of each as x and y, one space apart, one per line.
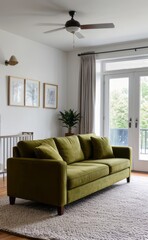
32 93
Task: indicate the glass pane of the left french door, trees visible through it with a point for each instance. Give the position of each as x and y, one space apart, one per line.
118 111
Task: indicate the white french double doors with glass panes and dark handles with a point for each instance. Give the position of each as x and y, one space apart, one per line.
126 114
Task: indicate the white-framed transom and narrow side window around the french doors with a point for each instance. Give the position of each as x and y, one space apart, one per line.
116 65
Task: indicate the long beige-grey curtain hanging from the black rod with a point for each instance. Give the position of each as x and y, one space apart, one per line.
87 93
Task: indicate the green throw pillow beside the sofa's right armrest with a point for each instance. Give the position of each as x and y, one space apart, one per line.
101 148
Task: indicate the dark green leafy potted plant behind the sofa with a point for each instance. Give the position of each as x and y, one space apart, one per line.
69 119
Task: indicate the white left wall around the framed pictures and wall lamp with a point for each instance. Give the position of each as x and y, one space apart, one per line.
38 62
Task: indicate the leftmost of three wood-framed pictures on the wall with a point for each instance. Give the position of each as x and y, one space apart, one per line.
16 87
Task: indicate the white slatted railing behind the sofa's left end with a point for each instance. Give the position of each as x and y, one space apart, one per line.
6 147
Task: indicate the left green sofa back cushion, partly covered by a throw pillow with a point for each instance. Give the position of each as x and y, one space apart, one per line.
26 148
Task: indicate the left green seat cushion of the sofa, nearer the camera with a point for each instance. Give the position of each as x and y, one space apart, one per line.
81 173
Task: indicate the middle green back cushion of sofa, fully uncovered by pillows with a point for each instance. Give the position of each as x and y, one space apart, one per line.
69 149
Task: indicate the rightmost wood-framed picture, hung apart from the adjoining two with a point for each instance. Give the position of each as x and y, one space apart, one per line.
50 96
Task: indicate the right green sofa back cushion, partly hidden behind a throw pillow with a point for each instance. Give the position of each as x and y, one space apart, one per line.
86 144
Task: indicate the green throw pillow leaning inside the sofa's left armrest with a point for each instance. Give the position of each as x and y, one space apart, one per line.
45 151
